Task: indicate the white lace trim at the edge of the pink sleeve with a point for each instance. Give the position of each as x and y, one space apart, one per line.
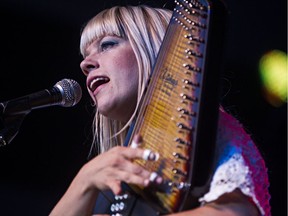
231 175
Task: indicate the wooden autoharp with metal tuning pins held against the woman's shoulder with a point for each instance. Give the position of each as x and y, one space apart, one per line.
178 115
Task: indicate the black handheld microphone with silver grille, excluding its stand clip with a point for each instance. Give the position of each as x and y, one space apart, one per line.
66 93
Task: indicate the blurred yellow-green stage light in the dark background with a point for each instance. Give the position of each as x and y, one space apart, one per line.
273 72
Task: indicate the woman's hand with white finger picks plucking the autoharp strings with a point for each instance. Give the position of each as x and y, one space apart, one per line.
109 169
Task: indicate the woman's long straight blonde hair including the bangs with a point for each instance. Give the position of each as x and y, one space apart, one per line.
144 27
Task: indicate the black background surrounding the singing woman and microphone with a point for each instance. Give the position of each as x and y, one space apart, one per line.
39 46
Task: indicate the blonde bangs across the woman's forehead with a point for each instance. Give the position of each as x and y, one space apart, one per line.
104 23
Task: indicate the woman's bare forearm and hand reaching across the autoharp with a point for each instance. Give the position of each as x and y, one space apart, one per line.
105 171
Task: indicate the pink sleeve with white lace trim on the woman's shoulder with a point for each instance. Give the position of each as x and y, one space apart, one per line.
239 165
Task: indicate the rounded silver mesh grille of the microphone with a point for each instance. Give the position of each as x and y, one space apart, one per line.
70 90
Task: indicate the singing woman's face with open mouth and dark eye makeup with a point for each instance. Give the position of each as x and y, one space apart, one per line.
112 76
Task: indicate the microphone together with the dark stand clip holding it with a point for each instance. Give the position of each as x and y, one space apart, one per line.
66 93
